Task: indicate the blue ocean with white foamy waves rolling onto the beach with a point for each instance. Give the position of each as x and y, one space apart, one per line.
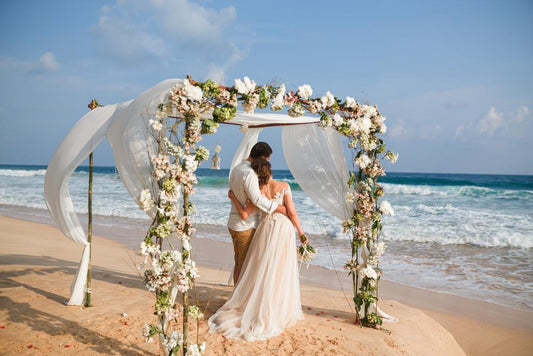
465 234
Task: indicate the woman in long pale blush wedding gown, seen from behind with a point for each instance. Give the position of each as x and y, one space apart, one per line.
266 298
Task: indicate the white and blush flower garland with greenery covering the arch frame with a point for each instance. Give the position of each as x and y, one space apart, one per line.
192 109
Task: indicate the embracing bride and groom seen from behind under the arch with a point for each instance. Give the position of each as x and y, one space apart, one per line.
266 298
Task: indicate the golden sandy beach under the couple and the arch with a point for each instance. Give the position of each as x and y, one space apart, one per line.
38 264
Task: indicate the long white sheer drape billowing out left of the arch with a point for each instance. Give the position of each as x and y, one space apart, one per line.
125 125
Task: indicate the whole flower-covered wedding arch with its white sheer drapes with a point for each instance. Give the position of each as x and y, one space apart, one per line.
155 140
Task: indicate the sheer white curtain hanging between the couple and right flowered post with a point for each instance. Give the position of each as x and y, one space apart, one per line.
316 160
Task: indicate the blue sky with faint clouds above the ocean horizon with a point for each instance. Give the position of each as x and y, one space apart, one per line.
453 78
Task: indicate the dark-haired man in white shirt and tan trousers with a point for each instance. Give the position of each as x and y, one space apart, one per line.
244 184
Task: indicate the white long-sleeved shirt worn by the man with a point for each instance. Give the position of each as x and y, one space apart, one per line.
244 184
